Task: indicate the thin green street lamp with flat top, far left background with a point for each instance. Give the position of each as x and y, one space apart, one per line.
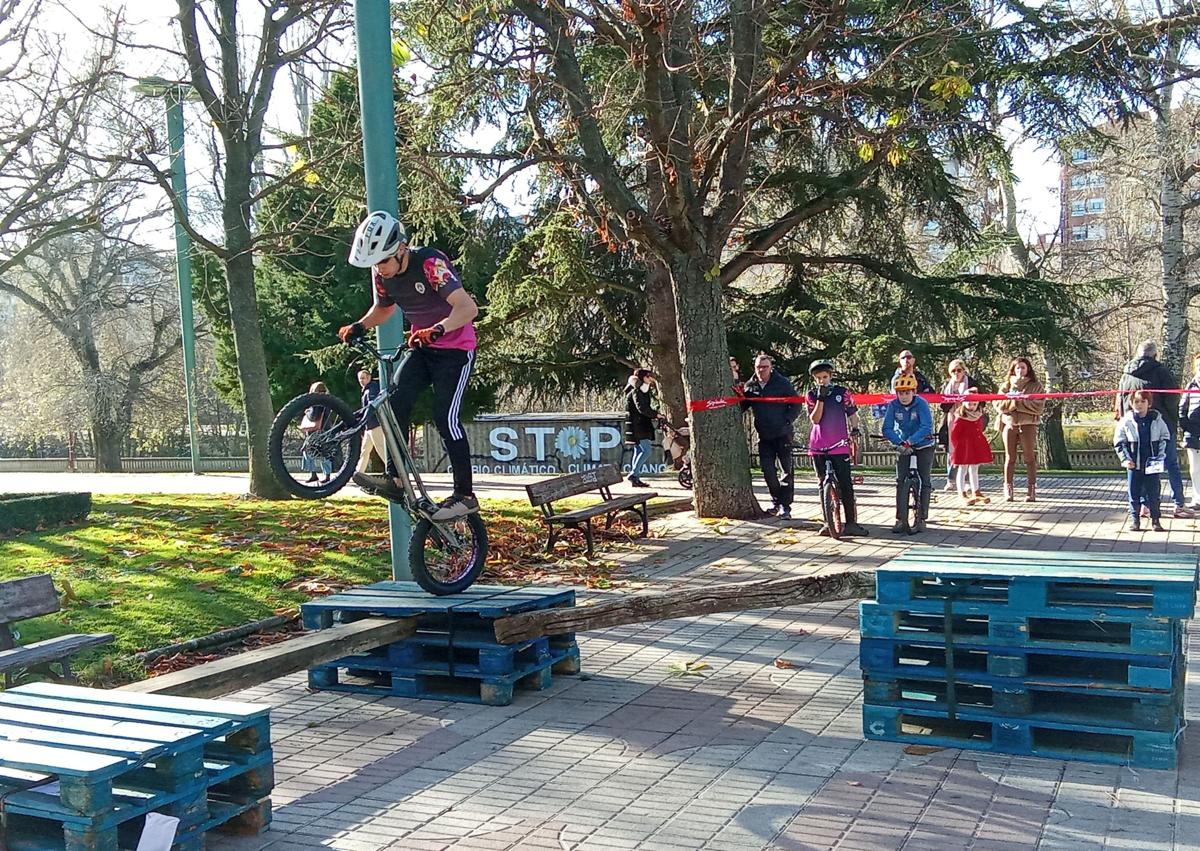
175 94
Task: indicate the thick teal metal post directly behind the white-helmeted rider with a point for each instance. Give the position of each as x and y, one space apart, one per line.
373 31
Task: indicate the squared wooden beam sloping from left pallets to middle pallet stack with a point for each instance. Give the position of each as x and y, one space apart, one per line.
254 668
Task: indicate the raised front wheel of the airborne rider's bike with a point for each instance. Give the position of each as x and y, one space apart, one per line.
315 446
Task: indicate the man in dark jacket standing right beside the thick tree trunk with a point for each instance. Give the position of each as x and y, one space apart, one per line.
773 422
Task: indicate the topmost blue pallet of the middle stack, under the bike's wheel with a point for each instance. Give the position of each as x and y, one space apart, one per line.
472 610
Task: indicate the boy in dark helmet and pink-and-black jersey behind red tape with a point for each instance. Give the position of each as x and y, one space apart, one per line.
835 425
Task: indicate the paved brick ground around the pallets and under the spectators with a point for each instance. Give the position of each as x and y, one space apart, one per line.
751 756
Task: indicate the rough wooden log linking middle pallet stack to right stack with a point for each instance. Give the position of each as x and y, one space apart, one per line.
664 606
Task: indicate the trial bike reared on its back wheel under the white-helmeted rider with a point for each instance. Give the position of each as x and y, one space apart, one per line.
445 555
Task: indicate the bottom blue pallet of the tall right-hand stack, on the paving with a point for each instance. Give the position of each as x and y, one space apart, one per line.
1023 738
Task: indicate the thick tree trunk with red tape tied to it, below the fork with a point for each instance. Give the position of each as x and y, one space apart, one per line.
719 448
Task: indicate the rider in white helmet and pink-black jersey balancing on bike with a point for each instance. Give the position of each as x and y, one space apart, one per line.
425 286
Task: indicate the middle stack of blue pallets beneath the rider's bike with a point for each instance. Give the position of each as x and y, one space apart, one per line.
454 655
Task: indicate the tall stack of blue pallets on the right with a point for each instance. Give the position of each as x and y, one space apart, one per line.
1061 655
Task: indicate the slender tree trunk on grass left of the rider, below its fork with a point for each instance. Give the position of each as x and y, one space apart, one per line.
248 335
